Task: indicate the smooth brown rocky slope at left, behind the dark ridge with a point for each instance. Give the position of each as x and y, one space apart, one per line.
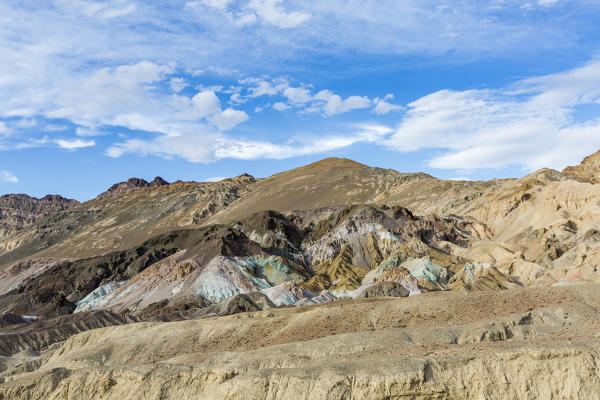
113 222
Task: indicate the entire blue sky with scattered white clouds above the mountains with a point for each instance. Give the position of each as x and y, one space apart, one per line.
94 92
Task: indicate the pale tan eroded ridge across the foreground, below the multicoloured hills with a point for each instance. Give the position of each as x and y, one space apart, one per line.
526 344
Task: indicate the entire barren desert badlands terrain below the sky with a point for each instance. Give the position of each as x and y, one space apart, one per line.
334 280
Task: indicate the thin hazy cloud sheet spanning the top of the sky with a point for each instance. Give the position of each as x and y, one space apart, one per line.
196 39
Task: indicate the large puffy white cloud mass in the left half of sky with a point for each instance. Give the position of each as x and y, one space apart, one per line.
128 96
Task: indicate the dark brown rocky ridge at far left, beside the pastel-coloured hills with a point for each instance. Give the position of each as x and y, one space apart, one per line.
49 287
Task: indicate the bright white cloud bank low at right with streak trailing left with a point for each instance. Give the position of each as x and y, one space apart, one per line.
530 123
